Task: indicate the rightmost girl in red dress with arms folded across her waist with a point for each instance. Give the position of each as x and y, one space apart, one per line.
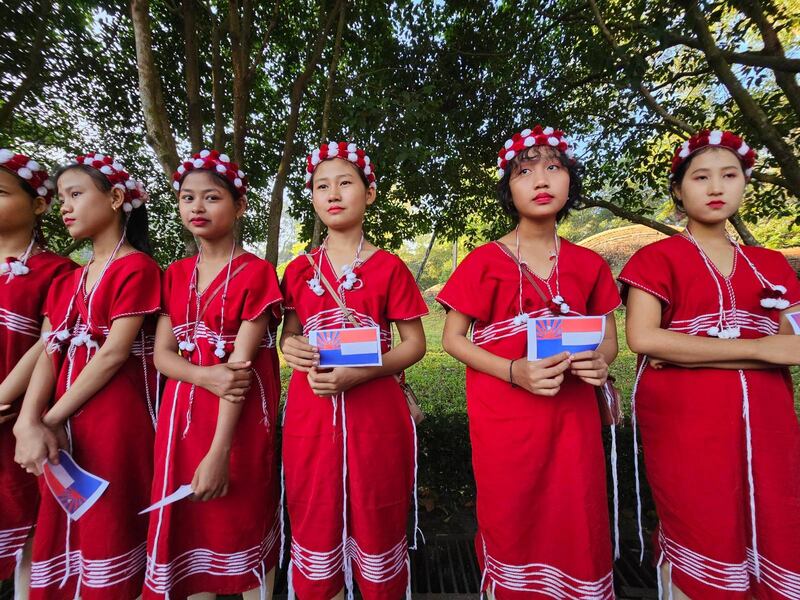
712 396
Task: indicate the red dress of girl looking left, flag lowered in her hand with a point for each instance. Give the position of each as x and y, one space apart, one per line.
102 555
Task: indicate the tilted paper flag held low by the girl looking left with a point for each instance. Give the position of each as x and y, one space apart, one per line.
75 489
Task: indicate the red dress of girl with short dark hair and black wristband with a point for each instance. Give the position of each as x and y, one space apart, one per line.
543 527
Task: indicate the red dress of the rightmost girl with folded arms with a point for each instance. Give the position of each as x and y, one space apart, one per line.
720 446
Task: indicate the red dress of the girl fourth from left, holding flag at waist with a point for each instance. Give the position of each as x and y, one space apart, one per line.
349 461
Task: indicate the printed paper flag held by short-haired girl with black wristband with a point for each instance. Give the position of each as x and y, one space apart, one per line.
550 336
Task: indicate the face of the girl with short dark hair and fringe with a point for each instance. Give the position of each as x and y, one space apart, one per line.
539 185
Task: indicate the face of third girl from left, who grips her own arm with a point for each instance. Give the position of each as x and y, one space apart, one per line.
208 209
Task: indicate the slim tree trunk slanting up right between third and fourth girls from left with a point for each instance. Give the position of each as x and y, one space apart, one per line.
296 98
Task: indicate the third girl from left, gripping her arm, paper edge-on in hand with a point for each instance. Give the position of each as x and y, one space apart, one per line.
216 345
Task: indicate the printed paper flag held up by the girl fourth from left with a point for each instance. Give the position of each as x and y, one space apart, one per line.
349 347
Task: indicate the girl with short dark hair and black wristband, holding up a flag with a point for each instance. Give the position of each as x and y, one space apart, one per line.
537 451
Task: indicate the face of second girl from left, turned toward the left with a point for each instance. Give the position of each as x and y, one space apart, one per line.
86 209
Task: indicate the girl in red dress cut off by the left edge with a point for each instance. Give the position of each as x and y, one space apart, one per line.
25 194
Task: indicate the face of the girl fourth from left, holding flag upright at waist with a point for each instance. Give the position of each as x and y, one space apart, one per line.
339 196
